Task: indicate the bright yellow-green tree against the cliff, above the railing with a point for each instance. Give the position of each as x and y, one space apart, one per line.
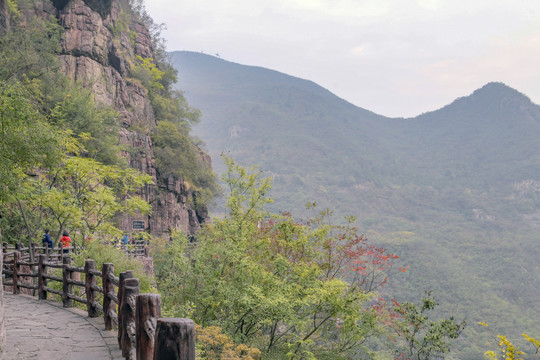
78 193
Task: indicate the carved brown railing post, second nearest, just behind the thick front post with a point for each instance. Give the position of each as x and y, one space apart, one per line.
147 311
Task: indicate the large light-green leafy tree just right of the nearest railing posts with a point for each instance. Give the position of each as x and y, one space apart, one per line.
269 281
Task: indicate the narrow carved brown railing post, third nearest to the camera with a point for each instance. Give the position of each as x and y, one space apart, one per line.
131 290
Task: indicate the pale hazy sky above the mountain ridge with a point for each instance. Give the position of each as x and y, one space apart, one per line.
393 57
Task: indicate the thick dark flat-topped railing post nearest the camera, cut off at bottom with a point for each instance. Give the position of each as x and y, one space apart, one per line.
175 339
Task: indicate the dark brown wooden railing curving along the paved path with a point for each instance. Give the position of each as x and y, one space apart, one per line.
142 334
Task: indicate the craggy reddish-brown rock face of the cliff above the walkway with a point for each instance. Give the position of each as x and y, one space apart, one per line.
96 53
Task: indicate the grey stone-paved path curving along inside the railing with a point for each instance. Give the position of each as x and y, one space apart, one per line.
44 330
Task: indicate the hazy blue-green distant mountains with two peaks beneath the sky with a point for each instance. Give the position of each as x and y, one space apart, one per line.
455 191
